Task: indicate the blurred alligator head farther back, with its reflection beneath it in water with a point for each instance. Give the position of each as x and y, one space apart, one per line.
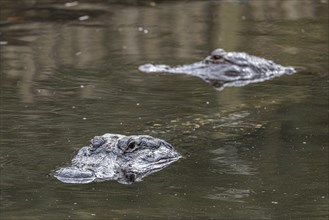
223 69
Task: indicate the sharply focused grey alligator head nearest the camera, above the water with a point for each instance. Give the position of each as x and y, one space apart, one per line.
126 159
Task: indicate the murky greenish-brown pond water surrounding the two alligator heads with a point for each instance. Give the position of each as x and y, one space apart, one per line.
69 72
